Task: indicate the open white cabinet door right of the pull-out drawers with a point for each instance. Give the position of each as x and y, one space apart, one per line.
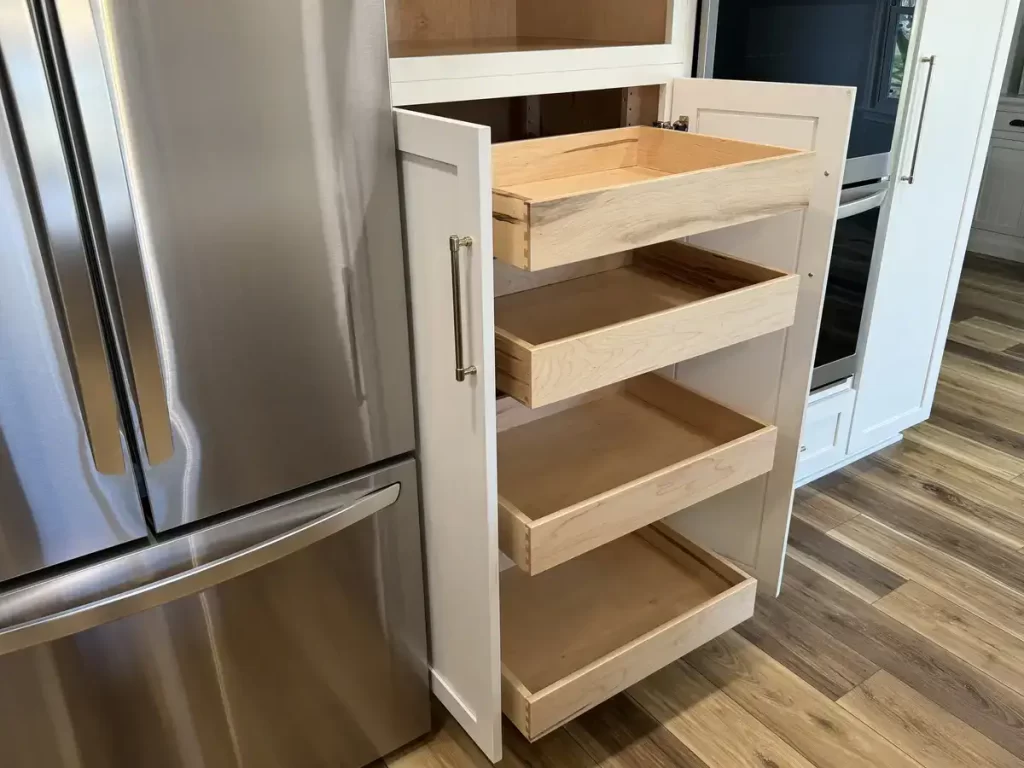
769 377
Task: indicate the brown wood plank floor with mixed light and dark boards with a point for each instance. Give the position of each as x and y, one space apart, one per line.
899 639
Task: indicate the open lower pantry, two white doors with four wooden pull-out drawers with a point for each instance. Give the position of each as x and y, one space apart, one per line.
575 486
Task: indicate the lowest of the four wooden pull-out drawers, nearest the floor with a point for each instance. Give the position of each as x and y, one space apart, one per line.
591 628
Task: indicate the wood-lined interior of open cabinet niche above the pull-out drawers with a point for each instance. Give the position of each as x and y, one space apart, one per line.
434 28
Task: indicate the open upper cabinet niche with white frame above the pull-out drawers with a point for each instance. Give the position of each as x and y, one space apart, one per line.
452 51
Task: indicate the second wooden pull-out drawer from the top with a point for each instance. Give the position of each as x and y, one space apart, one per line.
673 303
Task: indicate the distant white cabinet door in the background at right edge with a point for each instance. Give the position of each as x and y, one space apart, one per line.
1001 201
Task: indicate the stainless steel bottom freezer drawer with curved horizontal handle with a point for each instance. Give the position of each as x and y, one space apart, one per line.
294 635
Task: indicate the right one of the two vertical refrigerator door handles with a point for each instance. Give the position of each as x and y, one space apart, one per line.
113 228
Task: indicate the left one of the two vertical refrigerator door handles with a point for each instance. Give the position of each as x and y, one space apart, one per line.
45 170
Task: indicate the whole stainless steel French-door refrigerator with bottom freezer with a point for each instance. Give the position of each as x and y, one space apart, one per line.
209 530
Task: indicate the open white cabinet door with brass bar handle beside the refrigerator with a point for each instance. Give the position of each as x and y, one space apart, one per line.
446 184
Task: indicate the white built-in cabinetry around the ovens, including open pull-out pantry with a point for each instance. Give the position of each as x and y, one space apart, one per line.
614 490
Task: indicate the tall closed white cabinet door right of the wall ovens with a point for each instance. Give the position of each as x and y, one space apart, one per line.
928 224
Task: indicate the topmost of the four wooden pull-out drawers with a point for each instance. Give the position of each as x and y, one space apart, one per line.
572 198
